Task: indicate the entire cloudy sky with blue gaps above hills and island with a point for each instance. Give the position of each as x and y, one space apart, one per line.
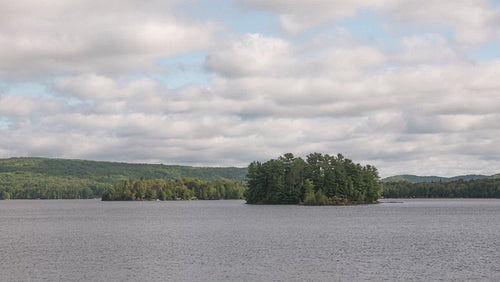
409 86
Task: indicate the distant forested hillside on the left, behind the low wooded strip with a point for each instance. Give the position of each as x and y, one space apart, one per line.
42 178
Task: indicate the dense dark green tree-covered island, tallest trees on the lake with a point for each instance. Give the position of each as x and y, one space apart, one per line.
318 180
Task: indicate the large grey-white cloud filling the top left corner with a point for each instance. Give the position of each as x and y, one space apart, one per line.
85 36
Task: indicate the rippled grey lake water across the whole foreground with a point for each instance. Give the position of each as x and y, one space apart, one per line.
90 240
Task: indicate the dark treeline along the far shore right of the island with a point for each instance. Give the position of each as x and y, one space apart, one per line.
478 188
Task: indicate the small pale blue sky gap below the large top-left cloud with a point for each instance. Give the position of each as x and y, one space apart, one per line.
182 70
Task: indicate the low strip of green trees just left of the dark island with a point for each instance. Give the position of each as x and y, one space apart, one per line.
179 189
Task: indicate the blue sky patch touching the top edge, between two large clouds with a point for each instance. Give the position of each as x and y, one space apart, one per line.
232 17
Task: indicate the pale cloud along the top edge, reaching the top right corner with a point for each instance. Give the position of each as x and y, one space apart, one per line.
473 22
